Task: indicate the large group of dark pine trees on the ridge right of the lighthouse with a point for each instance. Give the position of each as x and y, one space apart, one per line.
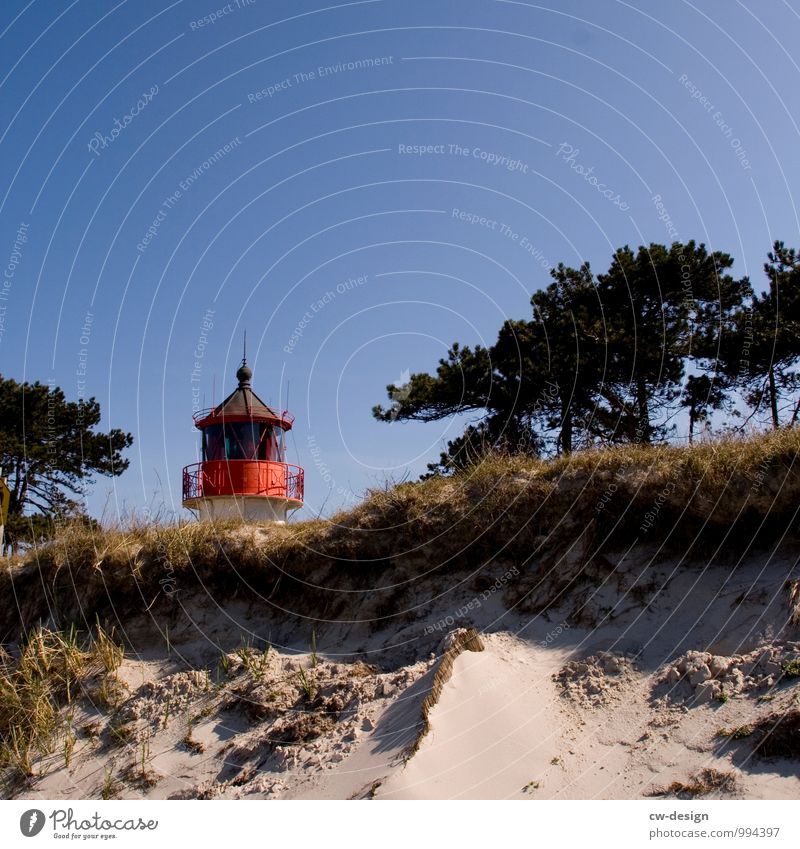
614 357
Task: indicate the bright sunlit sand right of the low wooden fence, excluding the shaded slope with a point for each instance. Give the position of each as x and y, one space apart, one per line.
501 730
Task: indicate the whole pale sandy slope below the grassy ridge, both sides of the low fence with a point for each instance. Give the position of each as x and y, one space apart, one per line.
549 709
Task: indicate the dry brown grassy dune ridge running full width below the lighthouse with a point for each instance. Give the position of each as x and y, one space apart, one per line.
713 498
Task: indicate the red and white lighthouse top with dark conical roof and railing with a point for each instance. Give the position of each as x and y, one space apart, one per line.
243 473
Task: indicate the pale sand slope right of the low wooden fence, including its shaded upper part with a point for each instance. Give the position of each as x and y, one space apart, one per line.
506 726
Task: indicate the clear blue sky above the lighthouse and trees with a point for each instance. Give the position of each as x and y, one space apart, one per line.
357 185
